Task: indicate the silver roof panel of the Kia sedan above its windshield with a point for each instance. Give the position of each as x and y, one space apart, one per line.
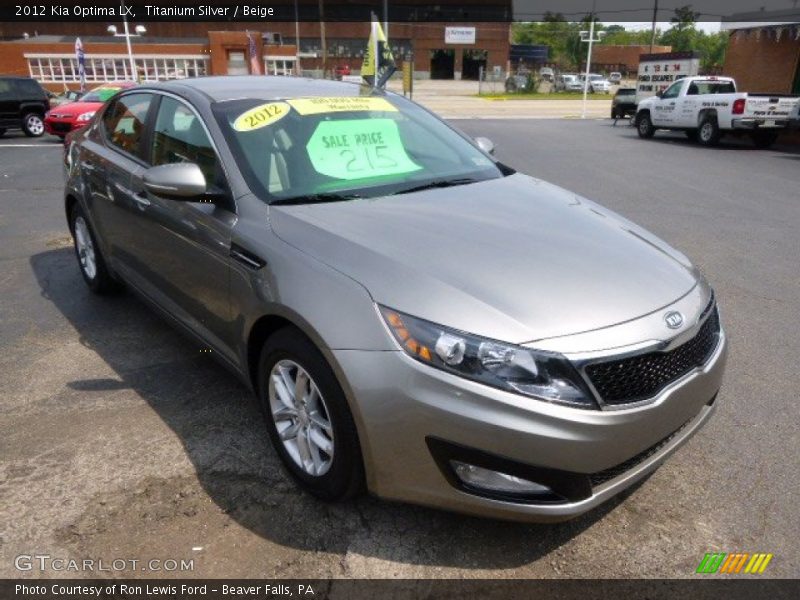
230 87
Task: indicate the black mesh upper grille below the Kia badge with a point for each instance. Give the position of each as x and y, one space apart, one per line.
640 377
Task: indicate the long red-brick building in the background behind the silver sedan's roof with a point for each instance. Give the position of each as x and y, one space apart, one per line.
169 49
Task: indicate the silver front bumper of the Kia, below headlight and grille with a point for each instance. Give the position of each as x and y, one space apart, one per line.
401 405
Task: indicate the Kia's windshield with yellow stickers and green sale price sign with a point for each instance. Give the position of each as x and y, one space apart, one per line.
334 148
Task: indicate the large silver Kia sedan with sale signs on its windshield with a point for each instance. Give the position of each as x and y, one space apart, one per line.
414 317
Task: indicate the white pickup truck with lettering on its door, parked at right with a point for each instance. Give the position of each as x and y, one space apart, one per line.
708 107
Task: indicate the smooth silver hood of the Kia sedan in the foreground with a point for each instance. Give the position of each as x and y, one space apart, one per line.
514 259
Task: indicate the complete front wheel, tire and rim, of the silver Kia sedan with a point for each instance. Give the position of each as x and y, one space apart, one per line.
308 418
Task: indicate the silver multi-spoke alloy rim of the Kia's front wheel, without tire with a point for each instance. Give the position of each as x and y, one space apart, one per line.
301 417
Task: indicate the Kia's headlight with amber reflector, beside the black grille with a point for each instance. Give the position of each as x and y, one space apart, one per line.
542 375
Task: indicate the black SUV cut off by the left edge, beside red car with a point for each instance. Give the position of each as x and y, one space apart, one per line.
23 104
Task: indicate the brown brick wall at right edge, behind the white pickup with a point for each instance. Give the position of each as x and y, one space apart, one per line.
762 64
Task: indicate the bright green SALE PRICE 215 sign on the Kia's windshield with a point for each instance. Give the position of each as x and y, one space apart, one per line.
358 148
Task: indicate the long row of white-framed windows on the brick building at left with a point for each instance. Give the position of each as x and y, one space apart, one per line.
63 68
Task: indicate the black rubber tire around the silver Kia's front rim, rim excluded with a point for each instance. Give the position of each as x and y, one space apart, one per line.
345 476
